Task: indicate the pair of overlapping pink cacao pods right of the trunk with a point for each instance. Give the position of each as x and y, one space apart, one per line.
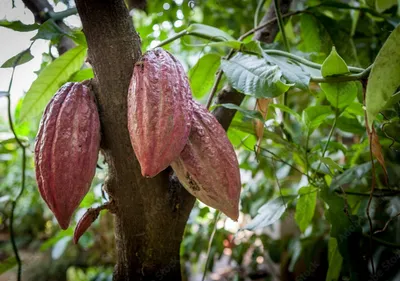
167 127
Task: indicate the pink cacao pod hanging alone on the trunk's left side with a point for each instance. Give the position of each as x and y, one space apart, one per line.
66 150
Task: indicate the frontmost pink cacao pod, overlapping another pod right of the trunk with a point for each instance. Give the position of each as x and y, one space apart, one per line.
159 111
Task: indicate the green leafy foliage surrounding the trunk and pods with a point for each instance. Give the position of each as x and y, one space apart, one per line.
314 200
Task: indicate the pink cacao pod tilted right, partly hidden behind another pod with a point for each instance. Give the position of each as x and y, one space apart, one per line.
208 167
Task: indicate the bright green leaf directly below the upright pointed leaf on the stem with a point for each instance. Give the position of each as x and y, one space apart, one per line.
340 94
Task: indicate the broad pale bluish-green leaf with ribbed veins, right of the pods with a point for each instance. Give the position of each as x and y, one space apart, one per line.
252 76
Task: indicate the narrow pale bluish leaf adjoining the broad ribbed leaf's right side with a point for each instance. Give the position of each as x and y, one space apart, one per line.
291 71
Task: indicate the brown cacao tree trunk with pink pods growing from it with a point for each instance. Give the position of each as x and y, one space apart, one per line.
150 217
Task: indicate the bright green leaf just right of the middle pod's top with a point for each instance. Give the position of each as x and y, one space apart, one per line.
202 75
